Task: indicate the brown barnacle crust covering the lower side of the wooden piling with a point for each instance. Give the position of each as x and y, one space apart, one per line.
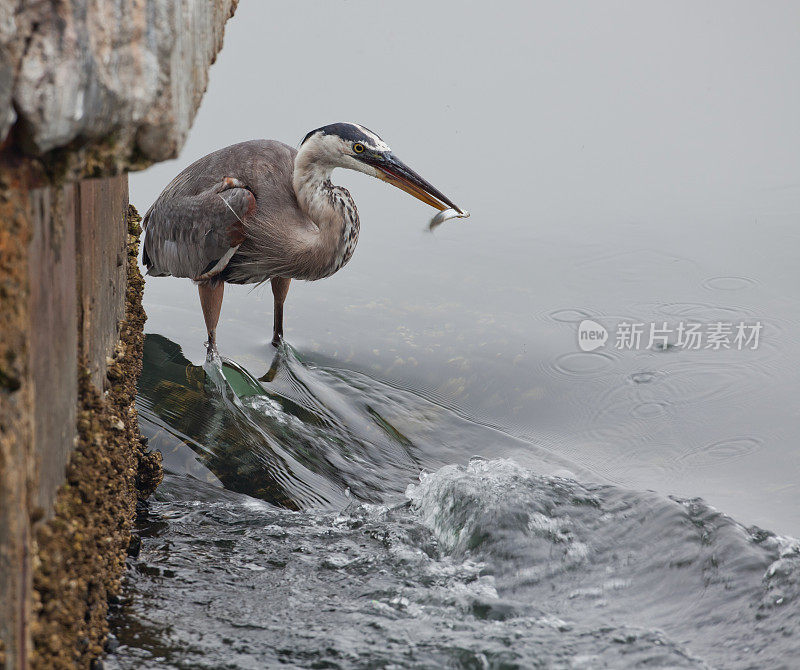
109 469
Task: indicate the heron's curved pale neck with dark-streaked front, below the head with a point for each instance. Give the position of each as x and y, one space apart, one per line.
330 207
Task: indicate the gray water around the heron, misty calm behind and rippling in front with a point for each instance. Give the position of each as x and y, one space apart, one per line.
432 473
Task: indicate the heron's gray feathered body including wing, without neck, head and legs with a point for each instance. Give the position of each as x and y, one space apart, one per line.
238 195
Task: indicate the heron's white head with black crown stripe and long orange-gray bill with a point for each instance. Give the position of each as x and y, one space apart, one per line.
349 145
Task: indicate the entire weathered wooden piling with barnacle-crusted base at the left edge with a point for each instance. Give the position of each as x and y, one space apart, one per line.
87 91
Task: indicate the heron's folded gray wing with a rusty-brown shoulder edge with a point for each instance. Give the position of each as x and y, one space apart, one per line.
196 235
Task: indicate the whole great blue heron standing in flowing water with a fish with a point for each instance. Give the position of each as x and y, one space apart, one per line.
260 210
